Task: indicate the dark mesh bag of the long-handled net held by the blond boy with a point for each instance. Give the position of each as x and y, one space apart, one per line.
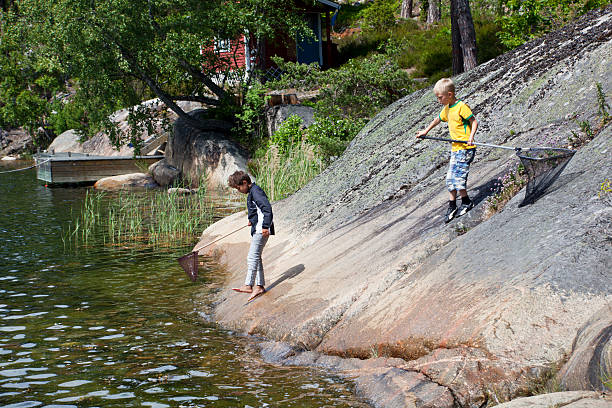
543 166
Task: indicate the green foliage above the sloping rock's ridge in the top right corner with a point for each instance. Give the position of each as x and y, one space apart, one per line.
529 19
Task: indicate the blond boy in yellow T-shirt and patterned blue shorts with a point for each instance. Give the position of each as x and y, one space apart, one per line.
462 125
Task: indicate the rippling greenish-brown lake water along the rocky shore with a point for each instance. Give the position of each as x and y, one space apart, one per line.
108 326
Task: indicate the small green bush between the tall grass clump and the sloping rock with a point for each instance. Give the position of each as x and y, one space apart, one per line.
331 136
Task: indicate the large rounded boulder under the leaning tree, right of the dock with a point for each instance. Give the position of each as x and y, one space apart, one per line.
203 154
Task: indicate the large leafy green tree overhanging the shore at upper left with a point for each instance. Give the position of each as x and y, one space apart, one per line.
116 48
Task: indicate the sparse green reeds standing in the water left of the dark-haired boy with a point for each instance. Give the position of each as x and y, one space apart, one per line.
155 218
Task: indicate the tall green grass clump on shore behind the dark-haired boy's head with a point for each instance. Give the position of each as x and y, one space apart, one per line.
280 175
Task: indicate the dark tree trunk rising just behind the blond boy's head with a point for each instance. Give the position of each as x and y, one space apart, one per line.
463 37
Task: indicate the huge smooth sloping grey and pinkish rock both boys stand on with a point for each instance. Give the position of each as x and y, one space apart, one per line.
363 266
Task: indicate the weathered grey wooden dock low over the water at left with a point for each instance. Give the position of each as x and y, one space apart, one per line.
82 168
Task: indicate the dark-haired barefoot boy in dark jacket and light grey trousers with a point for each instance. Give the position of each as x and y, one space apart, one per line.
260 219
